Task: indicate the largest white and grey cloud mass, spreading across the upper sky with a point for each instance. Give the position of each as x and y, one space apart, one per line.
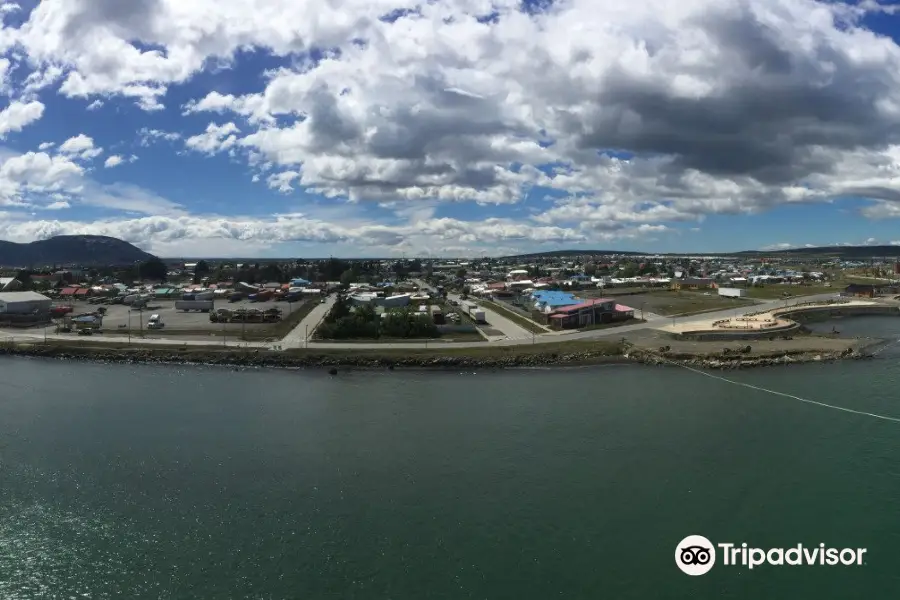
648 113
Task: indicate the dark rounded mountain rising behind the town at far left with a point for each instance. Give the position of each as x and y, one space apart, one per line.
71 250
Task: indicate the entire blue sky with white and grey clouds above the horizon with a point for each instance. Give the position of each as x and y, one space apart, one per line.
302 128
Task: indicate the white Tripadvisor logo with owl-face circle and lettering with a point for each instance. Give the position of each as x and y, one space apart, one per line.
696 555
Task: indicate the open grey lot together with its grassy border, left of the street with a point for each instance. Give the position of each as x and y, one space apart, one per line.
122 320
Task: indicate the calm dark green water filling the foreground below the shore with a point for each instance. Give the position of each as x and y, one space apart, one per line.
151 482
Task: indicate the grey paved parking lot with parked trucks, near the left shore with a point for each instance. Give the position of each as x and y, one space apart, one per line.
119 318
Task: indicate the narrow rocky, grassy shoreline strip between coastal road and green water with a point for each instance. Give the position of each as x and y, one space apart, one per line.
491 358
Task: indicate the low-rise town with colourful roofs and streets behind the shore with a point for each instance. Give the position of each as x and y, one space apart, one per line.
516 300
